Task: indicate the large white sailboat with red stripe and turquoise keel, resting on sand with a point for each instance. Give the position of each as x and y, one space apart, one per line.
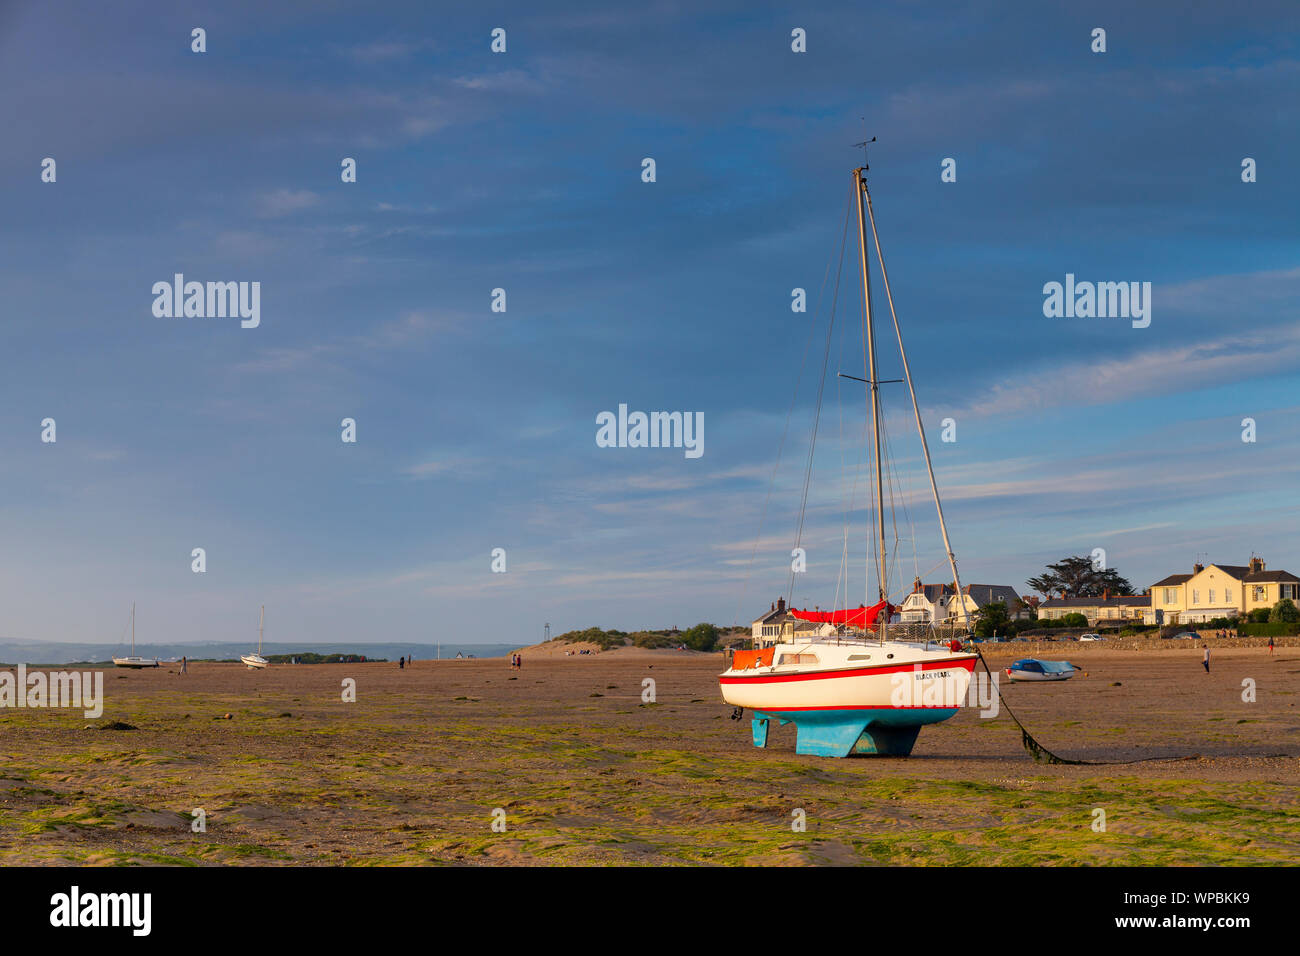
846 685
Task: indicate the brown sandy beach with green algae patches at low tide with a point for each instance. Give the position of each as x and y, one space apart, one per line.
588 773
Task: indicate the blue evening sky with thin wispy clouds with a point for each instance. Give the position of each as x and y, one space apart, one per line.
523 171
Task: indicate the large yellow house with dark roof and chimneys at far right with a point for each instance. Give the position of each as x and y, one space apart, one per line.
1220 591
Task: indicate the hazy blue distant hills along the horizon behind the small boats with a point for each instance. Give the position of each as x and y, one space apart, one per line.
58 654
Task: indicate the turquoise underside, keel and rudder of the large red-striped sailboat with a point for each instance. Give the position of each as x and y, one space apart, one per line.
886 733
